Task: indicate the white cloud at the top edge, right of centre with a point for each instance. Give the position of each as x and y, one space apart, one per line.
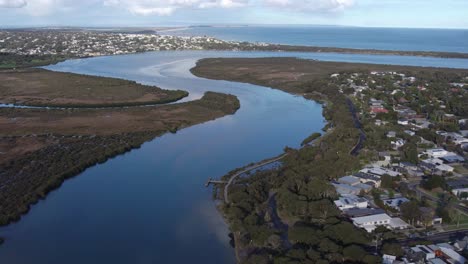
311 5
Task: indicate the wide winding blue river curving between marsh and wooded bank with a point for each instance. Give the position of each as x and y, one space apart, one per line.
150 205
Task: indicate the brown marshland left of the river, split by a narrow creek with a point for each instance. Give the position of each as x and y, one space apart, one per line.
40 147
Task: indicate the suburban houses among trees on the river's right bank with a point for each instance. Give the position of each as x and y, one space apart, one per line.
415 183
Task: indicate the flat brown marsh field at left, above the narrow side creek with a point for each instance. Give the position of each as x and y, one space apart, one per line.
37 87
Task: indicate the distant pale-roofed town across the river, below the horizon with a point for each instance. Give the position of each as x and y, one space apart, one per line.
86 43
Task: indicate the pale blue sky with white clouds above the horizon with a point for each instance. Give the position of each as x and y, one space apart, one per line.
133 13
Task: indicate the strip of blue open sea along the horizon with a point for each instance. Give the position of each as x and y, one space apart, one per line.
450 40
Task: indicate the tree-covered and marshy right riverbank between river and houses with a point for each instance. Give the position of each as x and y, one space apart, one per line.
317 230
